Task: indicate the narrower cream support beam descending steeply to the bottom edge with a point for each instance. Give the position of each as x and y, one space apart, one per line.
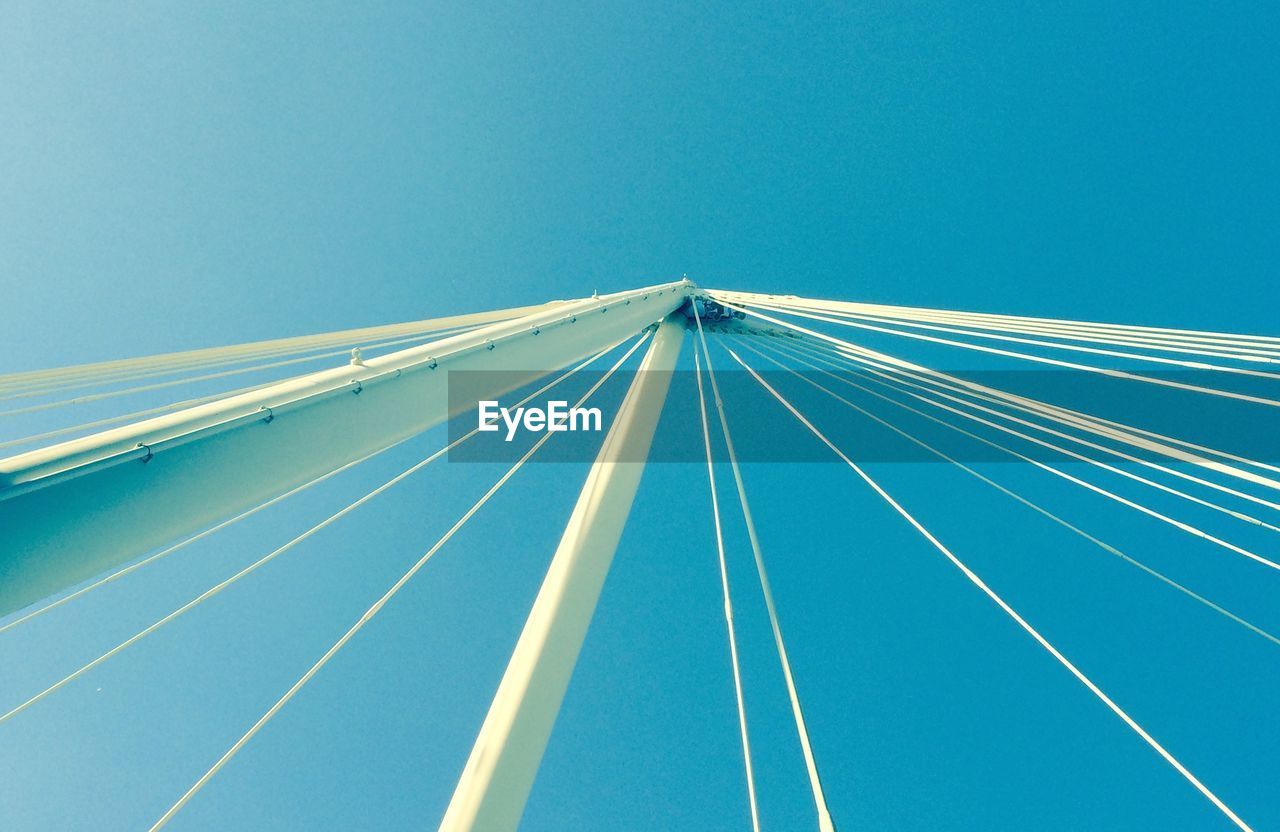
500 774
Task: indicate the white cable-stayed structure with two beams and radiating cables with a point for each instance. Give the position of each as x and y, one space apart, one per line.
90 502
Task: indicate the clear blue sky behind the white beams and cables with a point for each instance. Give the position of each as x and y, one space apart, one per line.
179 177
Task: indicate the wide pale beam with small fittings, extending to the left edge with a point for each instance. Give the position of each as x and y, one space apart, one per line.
79 509
